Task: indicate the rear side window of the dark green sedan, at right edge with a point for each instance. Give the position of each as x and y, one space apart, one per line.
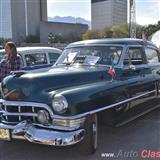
152 55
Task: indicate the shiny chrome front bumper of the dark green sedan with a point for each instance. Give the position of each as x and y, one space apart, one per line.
28 131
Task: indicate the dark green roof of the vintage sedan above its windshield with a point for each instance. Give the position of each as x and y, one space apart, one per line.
120 41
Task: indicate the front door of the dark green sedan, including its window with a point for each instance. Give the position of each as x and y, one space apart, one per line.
140 82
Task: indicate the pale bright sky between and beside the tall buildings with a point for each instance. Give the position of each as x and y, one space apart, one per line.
147 11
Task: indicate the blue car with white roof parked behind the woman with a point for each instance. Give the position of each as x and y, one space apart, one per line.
36 58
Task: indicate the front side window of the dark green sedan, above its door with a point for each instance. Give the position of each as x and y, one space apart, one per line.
134 56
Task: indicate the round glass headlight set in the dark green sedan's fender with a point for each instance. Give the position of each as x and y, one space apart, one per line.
60 104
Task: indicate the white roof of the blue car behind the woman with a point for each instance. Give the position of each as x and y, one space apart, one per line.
21 49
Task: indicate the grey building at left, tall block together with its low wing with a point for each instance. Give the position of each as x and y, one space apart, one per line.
21 18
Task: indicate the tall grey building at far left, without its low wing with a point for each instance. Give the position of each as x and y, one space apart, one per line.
20 18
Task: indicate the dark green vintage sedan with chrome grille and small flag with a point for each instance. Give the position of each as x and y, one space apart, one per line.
111 80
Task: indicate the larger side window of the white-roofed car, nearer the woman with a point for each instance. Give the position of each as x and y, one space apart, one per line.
35 59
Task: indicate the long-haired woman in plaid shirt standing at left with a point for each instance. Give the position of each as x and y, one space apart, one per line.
11 61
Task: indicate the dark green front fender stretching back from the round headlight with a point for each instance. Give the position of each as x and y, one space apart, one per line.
92 97
